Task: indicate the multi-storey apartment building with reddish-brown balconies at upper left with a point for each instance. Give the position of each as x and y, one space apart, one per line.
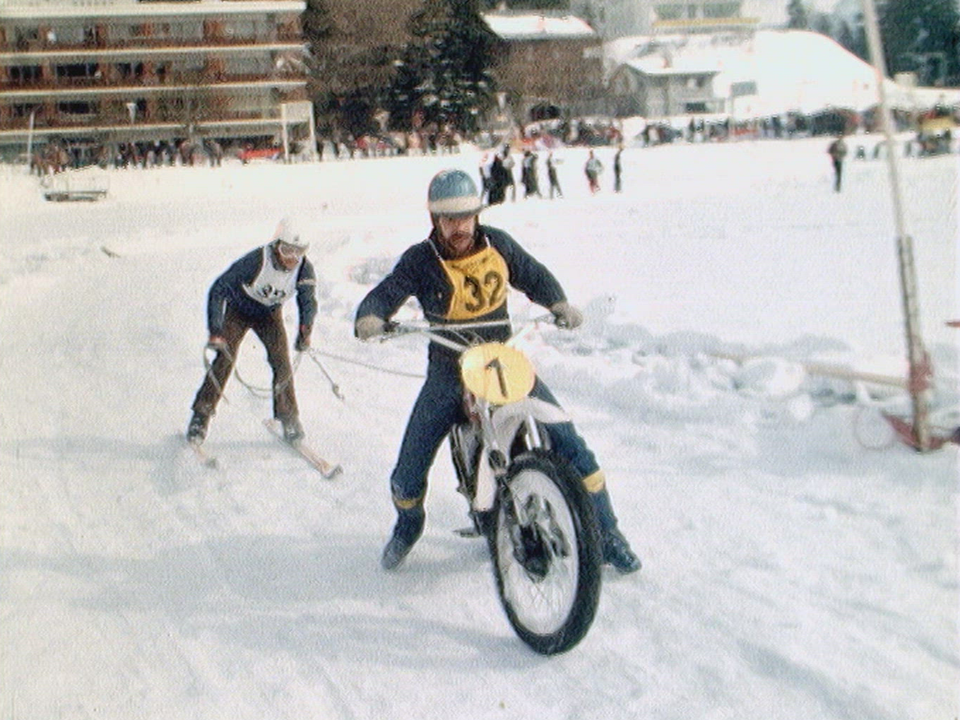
112 71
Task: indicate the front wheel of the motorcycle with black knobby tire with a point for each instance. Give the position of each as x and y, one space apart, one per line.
546 554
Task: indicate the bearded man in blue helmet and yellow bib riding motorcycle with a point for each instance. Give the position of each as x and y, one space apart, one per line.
442 273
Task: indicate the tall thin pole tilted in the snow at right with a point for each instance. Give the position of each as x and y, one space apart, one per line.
916 352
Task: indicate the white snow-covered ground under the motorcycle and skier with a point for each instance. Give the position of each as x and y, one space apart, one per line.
789 571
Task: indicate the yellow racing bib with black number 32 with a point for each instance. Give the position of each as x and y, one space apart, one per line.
479 284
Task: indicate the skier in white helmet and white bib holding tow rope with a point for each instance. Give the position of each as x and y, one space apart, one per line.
250 295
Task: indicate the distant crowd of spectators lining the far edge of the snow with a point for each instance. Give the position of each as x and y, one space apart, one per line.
544 135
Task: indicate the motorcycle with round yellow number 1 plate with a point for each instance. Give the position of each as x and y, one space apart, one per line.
525 500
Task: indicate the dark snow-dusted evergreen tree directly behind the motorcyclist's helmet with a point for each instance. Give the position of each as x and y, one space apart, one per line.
443 75
